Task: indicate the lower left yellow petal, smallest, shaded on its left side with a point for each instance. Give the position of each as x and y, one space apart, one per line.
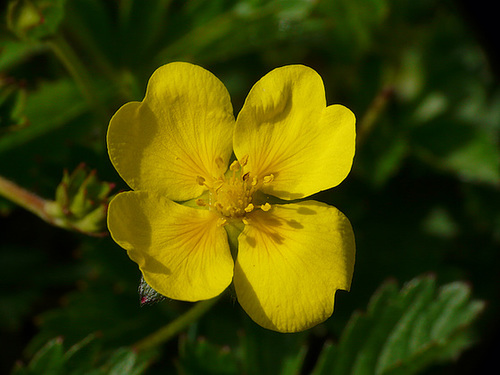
180 250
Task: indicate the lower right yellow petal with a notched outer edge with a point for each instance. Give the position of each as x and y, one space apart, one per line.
291 260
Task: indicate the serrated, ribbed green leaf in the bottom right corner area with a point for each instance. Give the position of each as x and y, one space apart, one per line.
404 331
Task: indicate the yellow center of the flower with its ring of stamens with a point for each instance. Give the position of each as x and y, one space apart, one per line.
231 195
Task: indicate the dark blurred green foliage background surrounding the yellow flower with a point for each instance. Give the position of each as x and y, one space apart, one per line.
423 194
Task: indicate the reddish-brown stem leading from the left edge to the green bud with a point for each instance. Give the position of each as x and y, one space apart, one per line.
25 199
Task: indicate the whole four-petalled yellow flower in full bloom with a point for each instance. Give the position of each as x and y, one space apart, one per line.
191 199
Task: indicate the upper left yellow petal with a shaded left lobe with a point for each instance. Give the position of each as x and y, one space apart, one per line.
181 130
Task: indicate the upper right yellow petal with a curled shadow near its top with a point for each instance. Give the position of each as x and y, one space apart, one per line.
287 131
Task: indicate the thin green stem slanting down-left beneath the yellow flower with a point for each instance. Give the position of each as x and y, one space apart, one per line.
170 330
